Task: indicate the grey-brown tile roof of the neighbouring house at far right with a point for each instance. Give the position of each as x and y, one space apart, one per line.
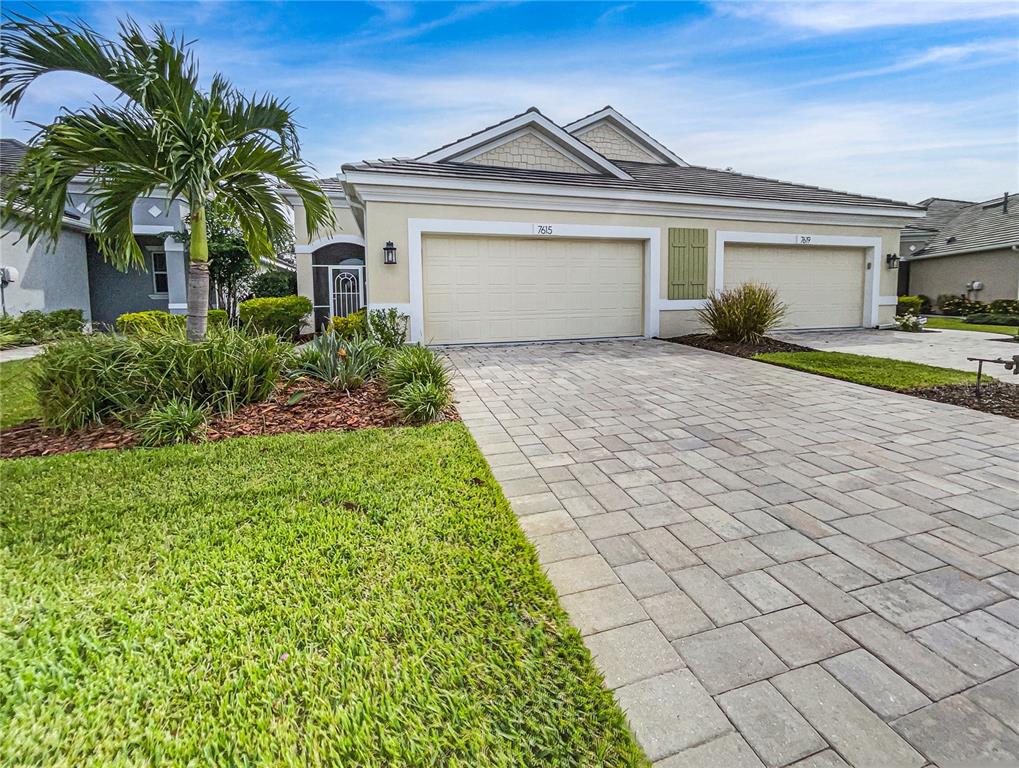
979 227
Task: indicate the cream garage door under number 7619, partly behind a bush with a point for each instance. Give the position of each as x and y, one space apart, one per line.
822 287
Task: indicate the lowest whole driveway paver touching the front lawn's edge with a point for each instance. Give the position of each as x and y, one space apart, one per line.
671 712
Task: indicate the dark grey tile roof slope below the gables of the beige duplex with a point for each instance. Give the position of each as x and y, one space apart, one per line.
647 178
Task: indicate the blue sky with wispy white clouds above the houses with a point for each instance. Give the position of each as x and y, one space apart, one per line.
900 99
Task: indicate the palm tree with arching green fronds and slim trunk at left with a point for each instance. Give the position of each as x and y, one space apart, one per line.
162 132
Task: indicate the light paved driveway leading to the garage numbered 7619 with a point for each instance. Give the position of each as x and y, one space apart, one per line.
946 349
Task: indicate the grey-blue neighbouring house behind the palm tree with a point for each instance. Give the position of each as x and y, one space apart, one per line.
74 276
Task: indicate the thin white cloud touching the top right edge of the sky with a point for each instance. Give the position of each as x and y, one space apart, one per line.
830 17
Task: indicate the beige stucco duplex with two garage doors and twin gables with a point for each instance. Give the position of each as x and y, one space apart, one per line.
529 231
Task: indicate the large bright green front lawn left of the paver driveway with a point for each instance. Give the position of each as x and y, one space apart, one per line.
351 599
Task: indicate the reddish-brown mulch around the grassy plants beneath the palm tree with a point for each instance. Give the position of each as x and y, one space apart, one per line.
320 409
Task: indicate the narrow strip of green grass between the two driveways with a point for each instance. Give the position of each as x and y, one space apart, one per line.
864 369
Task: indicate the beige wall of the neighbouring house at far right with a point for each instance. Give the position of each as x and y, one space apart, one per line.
998 270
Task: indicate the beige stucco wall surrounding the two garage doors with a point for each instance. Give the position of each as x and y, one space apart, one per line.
389 222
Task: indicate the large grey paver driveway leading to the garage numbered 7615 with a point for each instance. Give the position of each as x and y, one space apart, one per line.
768 567
